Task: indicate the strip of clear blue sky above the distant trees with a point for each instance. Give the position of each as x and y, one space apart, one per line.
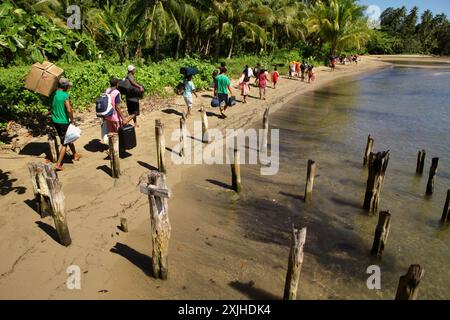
436 6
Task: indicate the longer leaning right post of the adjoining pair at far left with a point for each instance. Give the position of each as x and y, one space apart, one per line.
57 204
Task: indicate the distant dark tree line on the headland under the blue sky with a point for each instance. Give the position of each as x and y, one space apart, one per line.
403 32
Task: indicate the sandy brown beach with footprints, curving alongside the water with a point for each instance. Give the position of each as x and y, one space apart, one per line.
207 258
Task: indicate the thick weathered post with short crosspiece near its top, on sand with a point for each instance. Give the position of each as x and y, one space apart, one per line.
158 193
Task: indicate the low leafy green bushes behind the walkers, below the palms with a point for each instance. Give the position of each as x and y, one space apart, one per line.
90 80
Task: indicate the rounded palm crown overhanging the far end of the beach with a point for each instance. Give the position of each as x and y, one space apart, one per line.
341 23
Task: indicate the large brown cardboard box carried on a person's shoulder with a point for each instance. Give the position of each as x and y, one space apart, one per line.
43 78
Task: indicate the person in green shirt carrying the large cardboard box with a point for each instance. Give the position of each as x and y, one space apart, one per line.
62 117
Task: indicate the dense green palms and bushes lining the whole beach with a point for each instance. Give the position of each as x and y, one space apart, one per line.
160 36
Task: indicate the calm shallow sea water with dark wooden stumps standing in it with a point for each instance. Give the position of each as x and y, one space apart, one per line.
405 110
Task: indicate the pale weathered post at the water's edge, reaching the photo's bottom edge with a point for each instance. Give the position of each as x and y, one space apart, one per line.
294 264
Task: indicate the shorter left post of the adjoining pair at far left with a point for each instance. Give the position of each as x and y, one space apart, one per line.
40 189
